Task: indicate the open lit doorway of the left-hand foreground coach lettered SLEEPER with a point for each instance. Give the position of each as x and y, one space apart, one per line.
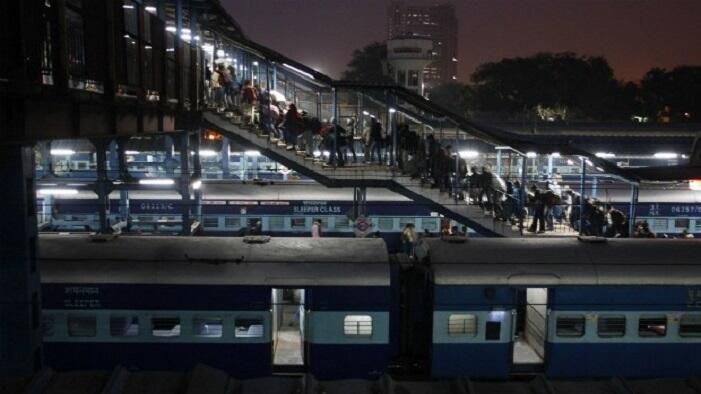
288 329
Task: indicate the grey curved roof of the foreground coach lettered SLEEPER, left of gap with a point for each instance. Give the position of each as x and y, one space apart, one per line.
214 261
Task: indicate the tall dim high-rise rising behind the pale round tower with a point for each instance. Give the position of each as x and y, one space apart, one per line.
436 22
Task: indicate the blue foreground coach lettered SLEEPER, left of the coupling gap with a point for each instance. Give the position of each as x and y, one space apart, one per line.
250 306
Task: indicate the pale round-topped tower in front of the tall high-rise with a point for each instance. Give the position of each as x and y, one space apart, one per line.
407 58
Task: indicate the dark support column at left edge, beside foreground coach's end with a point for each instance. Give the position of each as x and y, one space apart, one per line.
20 305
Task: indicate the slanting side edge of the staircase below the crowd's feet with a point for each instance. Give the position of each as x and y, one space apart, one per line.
362 176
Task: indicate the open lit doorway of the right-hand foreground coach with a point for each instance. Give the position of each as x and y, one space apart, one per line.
530 329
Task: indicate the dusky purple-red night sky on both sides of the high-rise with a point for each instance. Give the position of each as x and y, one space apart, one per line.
634 35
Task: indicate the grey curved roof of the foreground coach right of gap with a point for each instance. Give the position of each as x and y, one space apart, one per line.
556 261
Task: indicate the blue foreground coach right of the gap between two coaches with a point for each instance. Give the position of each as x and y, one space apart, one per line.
566 307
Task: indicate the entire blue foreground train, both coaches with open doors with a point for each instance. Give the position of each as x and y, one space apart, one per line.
346 308
